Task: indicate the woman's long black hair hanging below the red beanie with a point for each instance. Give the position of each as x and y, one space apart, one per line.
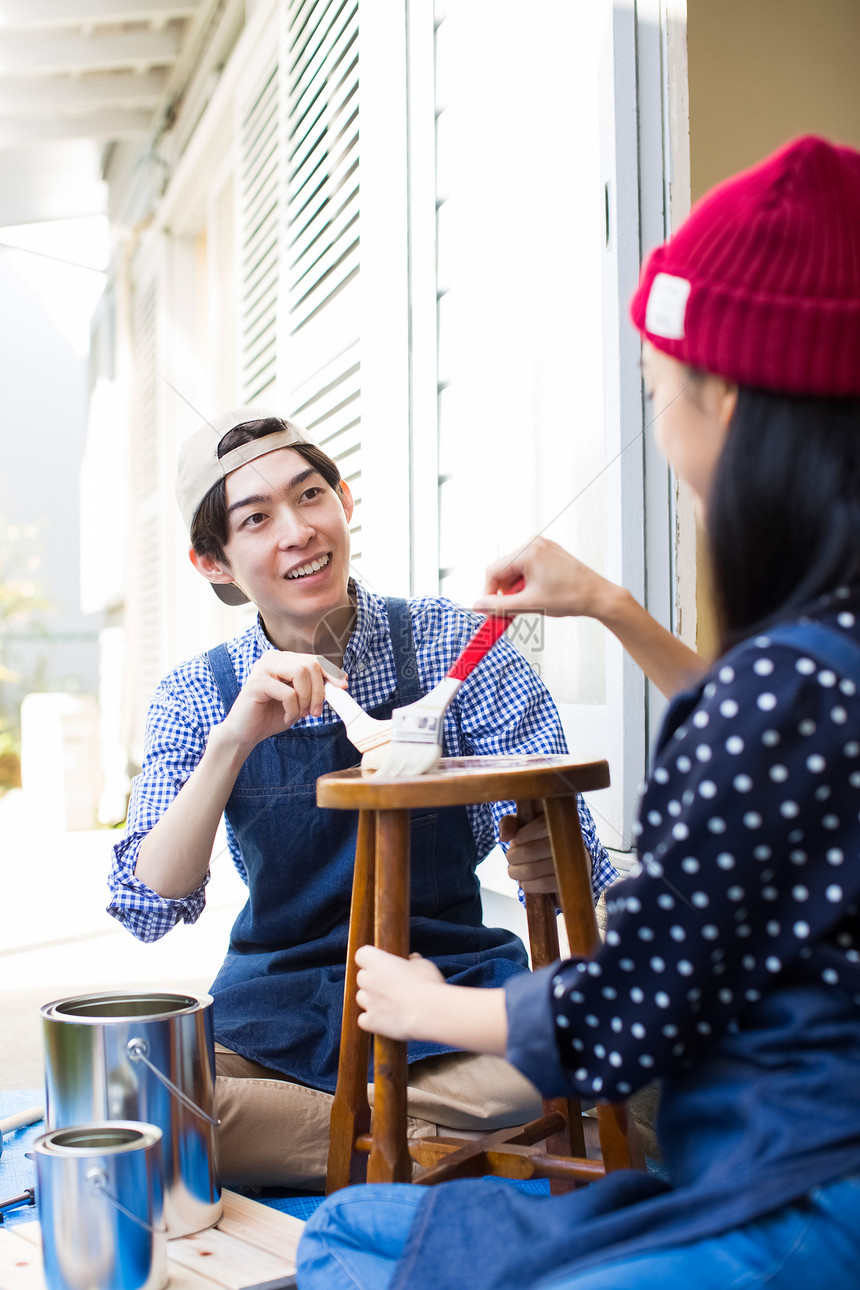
785 509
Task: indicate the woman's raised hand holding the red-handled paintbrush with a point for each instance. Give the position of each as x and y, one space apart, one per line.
555 582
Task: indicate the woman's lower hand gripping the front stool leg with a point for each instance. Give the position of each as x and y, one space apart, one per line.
391 990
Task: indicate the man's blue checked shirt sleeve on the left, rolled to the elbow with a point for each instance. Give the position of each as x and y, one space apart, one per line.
175 742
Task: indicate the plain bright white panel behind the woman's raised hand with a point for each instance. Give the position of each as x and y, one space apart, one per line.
520 243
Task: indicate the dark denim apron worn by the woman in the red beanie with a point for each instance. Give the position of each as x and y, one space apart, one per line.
769 1114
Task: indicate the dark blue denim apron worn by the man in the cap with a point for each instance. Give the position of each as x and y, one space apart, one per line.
279 995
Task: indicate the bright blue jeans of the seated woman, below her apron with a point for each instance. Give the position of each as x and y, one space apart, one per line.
357 1238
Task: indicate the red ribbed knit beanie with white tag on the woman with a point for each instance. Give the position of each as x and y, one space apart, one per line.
761 283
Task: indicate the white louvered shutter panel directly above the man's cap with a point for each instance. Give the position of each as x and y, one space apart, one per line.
319 323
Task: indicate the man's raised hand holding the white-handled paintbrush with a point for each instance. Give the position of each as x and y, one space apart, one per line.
280 690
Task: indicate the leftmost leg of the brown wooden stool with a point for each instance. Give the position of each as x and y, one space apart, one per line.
351 1110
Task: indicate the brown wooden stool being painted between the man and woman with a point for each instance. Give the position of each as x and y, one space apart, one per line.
380 914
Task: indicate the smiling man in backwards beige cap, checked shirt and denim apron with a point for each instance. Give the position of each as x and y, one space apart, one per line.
244 731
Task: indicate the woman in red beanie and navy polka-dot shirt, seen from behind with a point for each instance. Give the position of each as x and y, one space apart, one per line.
732 966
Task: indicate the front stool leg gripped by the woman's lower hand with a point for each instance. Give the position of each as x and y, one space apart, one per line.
390 1160
